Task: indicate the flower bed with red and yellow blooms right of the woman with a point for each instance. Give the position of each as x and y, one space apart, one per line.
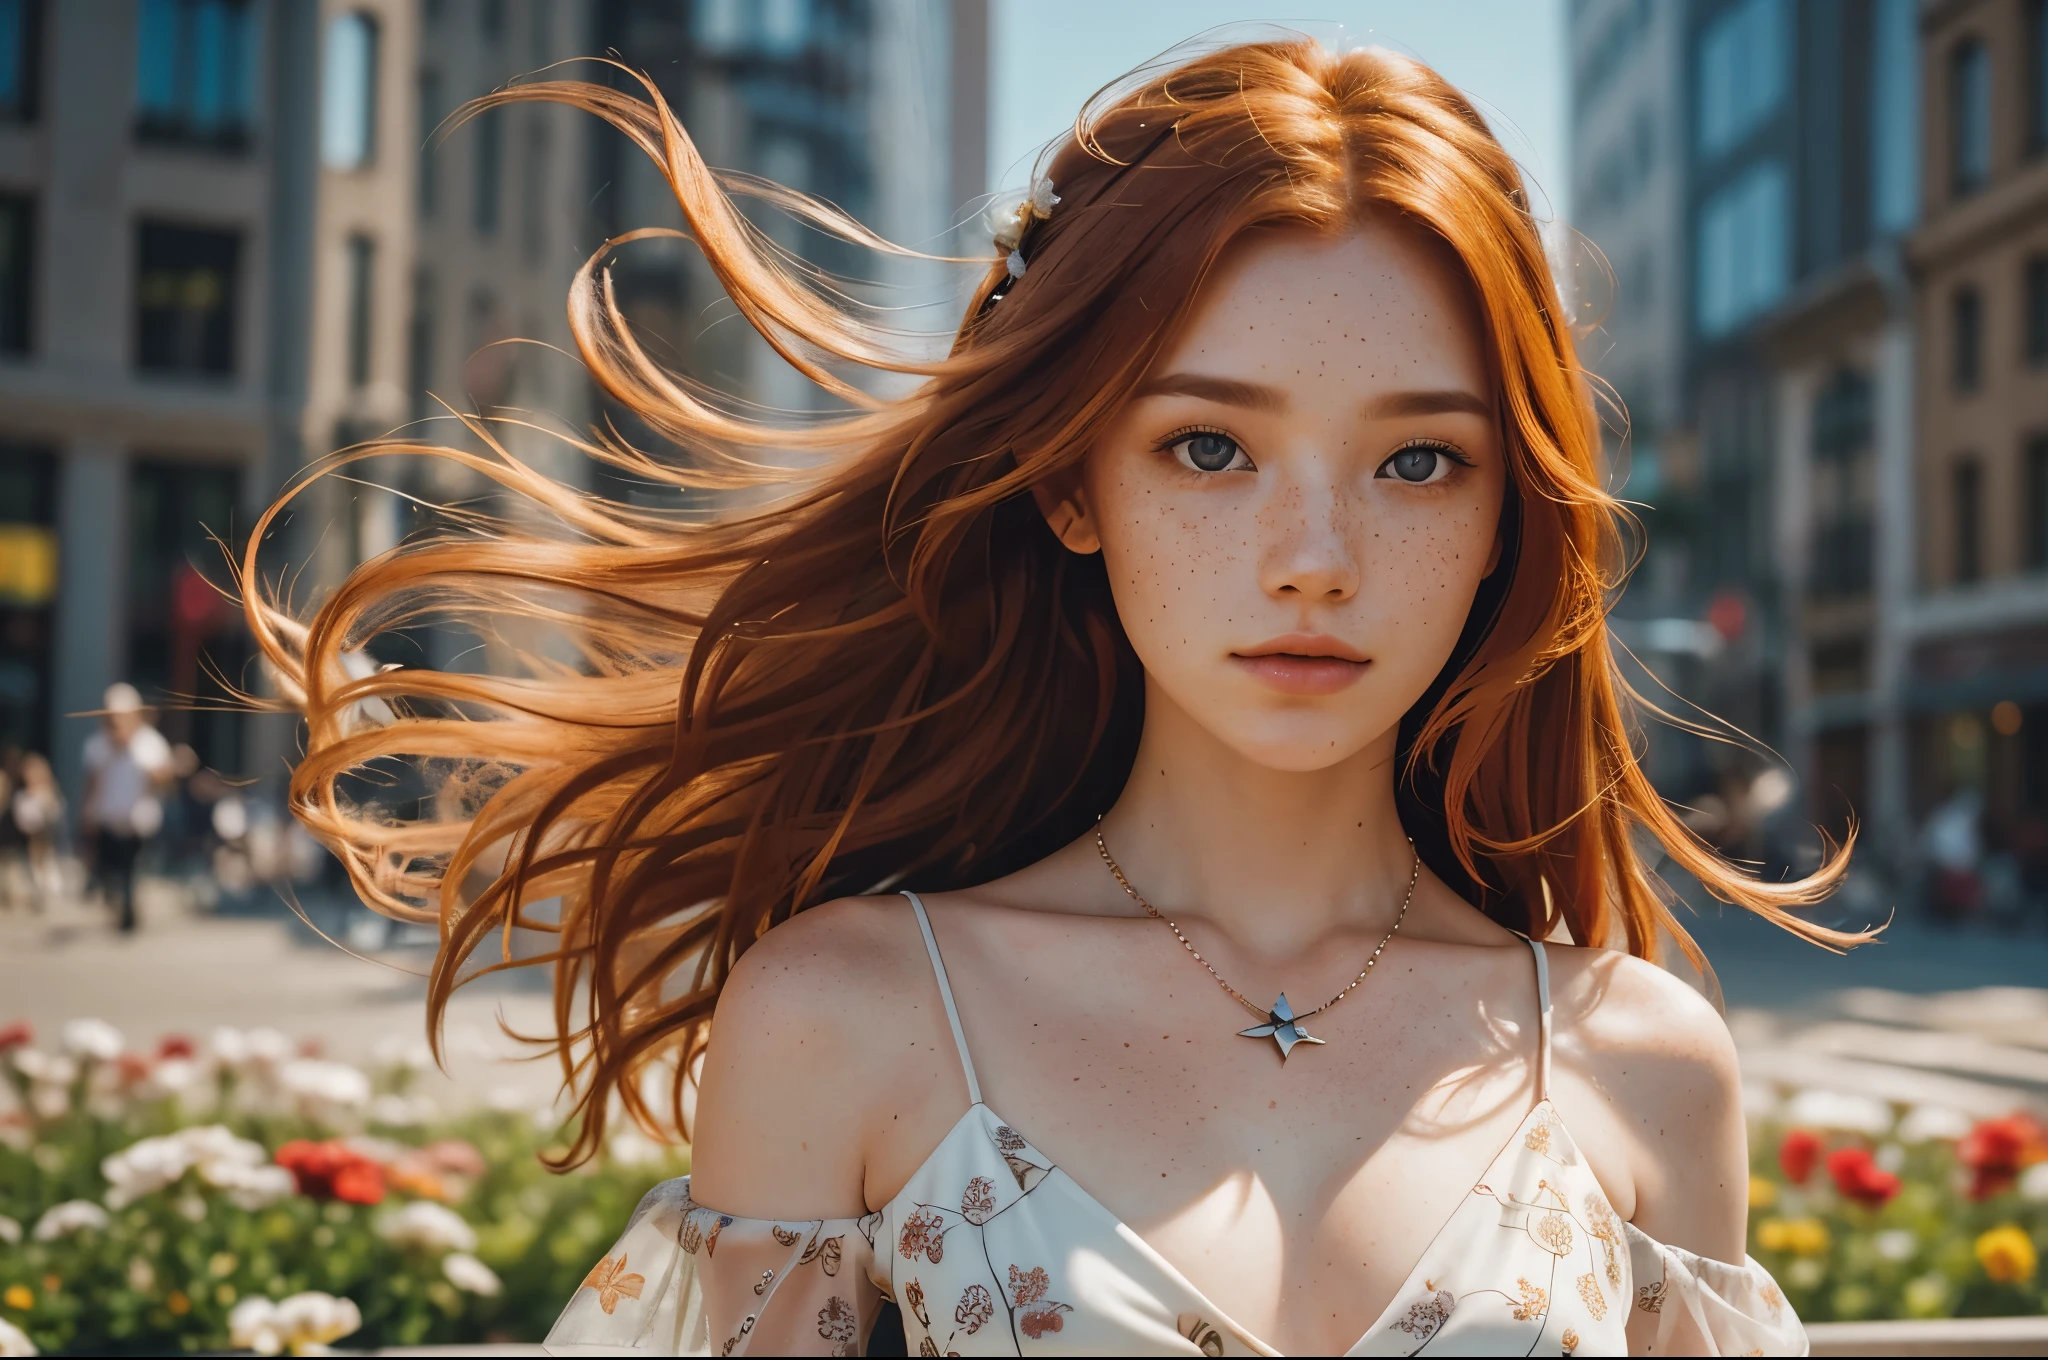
1867 1214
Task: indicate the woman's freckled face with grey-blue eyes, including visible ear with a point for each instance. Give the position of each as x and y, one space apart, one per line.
1299 505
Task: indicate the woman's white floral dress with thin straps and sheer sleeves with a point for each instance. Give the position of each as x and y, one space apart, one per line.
992 1250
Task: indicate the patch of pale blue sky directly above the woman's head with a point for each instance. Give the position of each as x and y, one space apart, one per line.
1508 56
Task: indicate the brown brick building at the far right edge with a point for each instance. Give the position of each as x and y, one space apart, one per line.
1975 634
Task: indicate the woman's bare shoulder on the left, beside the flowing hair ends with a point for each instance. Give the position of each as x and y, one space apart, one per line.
824 1025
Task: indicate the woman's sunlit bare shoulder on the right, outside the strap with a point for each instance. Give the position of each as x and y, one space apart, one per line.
1666 1066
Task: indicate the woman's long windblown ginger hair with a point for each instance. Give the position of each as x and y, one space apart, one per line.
878 665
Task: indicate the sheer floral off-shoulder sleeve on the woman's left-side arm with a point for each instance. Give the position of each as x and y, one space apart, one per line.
689 1281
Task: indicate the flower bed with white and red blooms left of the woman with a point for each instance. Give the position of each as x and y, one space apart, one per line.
253 1195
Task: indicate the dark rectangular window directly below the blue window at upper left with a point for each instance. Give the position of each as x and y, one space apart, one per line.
185 300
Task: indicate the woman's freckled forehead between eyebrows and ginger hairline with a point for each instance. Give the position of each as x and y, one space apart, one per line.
1375 306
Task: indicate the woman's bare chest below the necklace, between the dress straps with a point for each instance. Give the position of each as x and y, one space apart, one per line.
1293 1195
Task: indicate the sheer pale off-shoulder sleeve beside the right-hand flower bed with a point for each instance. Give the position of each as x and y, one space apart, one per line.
1695 1306
